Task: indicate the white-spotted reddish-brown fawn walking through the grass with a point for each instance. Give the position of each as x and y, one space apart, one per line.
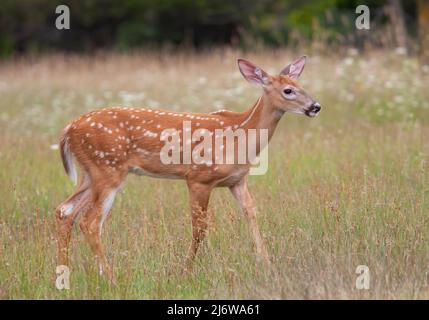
108 144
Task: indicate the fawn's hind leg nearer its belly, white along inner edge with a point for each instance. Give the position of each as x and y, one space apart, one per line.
91 224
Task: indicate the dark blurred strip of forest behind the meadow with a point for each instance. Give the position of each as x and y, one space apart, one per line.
28 26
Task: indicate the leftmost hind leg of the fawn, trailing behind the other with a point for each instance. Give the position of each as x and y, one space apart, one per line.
66 214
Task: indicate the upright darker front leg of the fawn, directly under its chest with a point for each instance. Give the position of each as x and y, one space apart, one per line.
199 195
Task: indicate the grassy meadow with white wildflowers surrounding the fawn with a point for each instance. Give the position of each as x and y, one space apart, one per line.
347 188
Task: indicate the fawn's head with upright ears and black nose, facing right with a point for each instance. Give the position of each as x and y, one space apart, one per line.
283 90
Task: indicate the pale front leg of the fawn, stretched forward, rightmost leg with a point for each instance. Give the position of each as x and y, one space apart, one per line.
241 193
